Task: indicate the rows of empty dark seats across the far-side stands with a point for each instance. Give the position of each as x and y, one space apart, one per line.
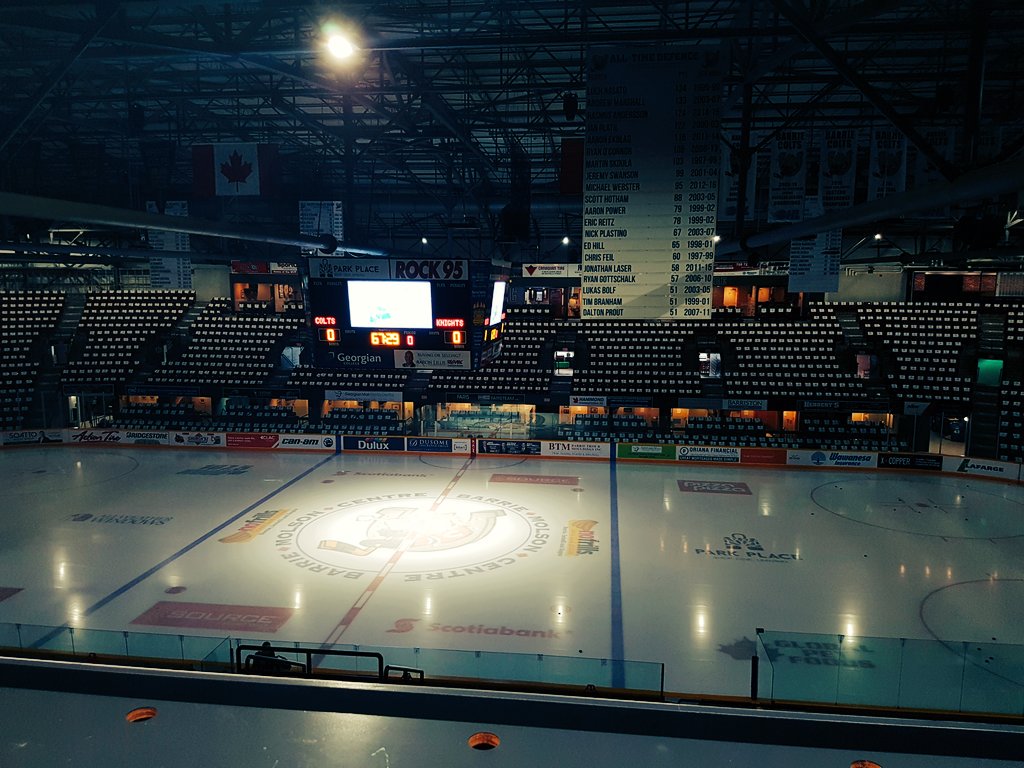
925 353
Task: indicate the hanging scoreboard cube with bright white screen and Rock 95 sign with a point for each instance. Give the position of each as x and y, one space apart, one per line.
406 314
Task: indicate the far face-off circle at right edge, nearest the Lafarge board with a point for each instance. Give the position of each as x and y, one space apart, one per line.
938 507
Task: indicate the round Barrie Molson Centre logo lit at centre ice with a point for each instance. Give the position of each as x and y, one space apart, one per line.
406 534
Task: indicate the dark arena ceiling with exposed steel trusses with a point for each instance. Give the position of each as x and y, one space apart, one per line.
105 101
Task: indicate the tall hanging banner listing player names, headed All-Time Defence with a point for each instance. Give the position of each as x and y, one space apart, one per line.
651 185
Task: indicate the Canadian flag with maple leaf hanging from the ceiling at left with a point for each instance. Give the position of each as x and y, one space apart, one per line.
233 169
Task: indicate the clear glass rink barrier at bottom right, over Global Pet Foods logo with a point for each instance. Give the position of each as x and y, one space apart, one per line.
894 673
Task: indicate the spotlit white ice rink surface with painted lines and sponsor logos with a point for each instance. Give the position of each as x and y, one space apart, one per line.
674 564
